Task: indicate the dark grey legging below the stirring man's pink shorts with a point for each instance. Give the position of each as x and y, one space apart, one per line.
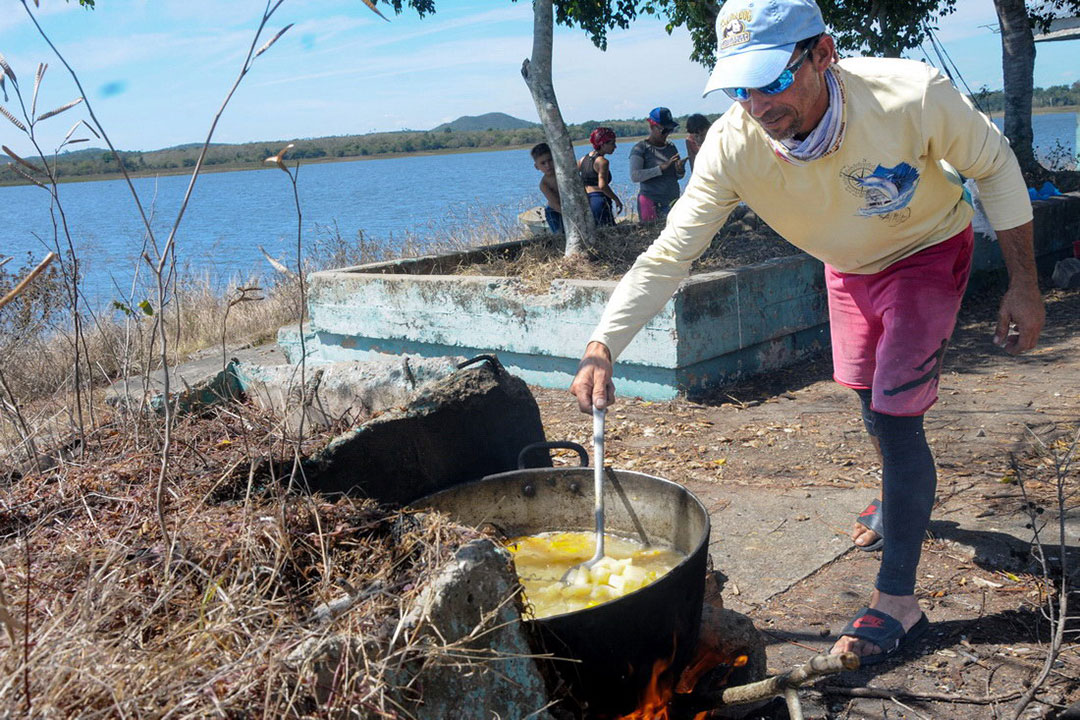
909 483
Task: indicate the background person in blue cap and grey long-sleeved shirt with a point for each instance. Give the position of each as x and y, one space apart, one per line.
655 165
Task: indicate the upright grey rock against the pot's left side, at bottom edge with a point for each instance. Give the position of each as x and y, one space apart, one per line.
470 610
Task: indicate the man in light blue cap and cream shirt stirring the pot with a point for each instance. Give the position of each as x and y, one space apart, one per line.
860 164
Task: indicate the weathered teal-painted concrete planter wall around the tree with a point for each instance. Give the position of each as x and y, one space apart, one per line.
718 328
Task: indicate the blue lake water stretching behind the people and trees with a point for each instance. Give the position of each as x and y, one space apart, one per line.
233 214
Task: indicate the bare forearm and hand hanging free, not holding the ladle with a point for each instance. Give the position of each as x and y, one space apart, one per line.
1022 315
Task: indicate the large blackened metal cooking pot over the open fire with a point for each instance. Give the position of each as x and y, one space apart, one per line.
617 644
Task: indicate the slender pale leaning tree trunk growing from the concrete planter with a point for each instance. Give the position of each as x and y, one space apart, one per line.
577 219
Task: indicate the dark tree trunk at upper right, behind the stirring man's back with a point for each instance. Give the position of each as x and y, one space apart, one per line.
1018 63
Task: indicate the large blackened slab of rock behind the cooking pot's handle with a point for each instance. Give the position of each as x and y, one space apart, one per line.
467 426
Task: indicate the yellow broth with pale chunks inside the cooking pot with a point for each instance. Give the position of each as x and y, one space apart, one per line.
544 559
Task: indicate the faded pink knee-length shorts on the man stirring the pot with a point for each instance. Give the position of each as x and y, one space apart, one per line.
890 329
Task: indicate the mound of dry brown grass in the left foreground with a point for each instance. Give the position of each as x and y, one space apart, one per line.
113 632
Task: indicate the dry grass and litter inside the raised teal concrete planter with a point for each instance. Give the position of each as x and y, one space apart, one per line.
744 240
